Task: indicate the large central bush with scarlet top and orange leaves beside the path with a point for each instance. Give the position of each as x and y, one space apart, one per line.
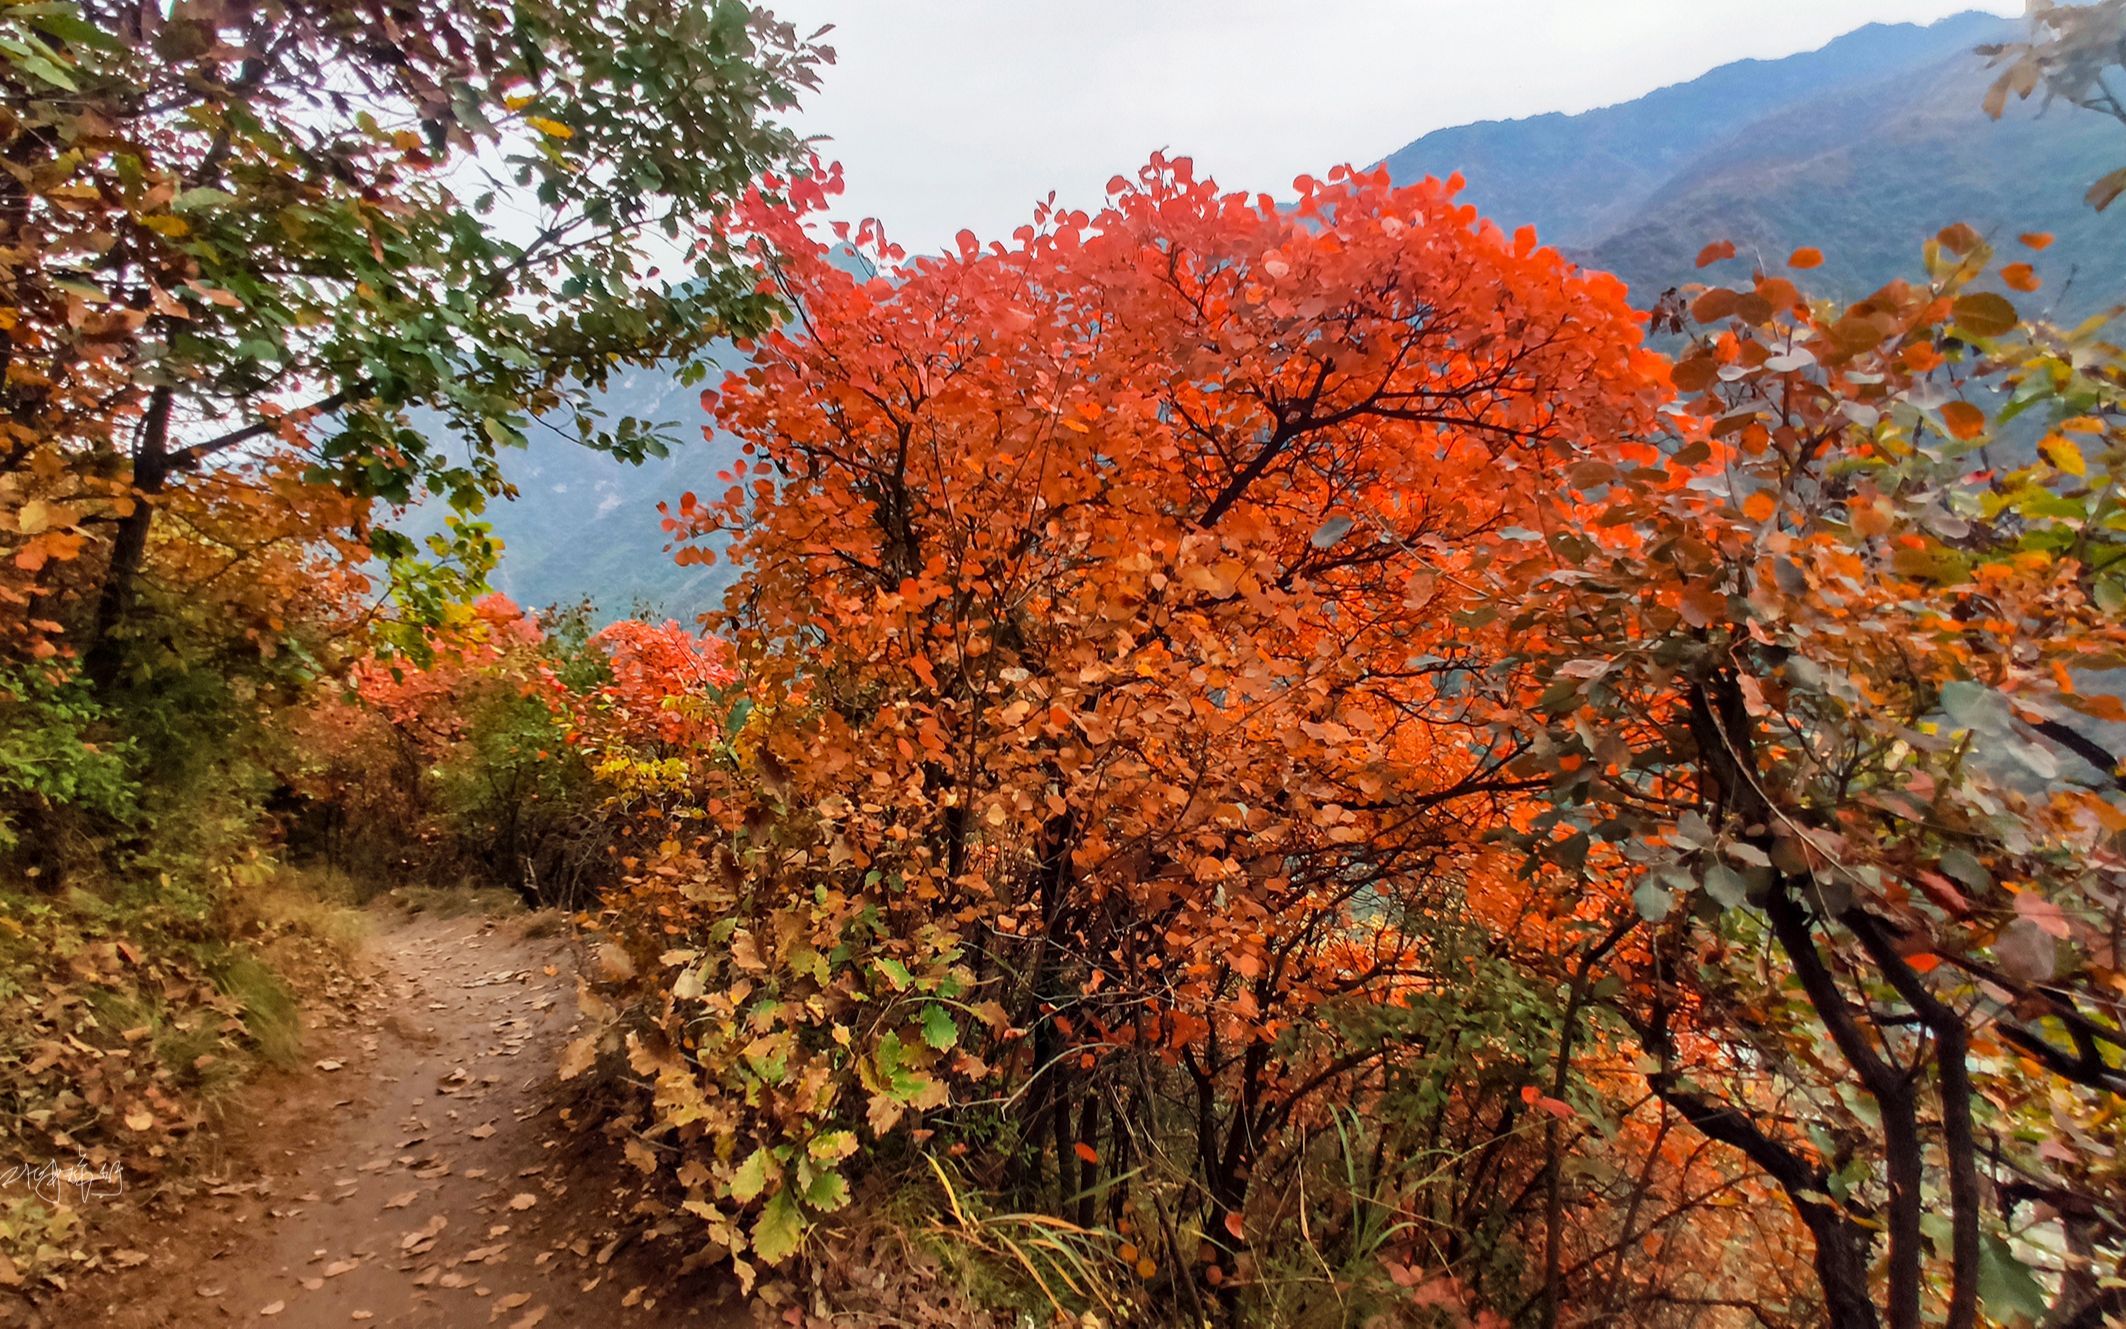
1107 811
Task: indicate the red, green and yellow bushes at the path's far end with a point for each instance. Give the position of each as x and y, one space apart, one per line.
513 750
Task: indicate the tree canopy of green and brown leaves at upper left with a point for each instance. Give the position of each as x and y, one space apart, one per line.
290 226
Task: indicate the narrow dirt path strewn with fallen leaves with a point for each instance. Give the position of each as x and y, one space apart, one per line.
420 1175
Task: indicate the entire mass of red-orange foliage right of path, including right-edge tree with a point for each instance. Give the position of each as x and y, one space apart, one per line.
1253 701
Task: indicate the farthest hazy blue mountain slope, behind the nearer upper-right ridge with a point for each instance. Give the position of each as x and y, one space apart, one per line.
1581 178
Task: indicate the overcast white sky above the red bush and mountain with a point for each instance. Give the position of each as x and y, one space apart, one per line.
956 114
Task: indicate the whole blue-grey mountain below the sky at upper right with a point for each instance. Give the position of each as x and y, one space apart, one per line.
1861 148
